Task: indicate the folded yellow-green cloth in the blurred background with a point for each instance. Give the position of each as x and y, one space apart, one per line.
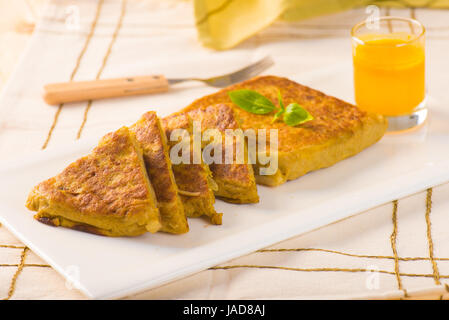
222 24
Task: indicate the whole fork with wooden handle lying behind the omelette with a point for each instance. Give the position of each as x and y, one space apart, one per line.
57 93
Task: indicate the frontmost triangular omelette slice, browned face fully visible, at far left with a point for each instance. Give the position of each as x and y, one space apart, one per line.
106 193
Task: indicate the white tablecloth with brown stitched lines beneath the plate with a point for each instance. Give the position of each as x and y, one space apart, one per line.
390 251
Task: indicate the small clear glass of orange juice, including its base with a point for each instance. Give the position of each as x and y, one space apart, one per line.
389 70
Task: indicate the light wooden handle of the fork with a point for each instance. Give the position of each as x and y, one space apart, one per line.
56 93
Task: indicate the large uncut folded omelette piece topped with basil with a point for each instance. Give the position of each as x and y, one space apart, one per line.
339 130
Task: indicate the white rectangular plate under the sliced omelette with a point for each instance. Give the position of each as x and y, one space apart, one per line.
397 166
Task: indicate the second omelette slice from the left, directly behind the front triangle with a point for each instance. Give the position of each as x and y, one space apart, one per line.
152 140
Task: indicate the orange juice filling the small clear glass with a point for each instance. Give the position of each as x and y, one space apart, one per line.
389 73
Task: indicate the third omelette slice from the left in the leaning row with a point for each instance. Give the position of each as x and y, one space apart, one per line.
194 181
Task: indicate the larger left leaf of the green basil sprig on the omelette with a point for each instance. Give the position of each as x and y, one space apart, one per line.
251 101
